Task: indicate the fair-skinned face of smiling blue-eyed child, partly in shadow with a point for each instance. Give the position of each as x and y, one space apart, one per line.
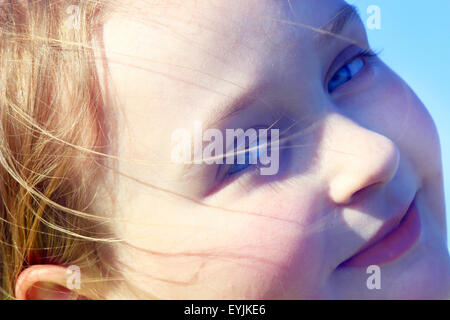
361 149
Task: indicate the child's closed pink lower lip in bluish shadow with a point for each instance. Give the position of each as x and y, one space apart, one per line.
394 245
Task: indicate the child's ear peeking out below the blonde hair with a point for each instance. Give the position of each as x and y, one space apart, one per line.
45 282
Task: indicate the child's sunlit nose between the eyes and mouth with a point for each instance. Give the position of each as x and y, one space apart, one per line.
356 158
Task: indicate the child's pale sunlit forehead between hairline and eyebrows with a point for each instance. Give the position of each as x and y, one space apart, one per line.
187 50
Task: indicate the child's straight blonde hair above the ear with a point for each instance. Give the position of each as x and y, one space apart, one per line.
53 133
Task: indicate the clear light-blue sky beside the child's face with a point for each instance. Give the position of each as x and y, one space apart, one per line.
415 42
